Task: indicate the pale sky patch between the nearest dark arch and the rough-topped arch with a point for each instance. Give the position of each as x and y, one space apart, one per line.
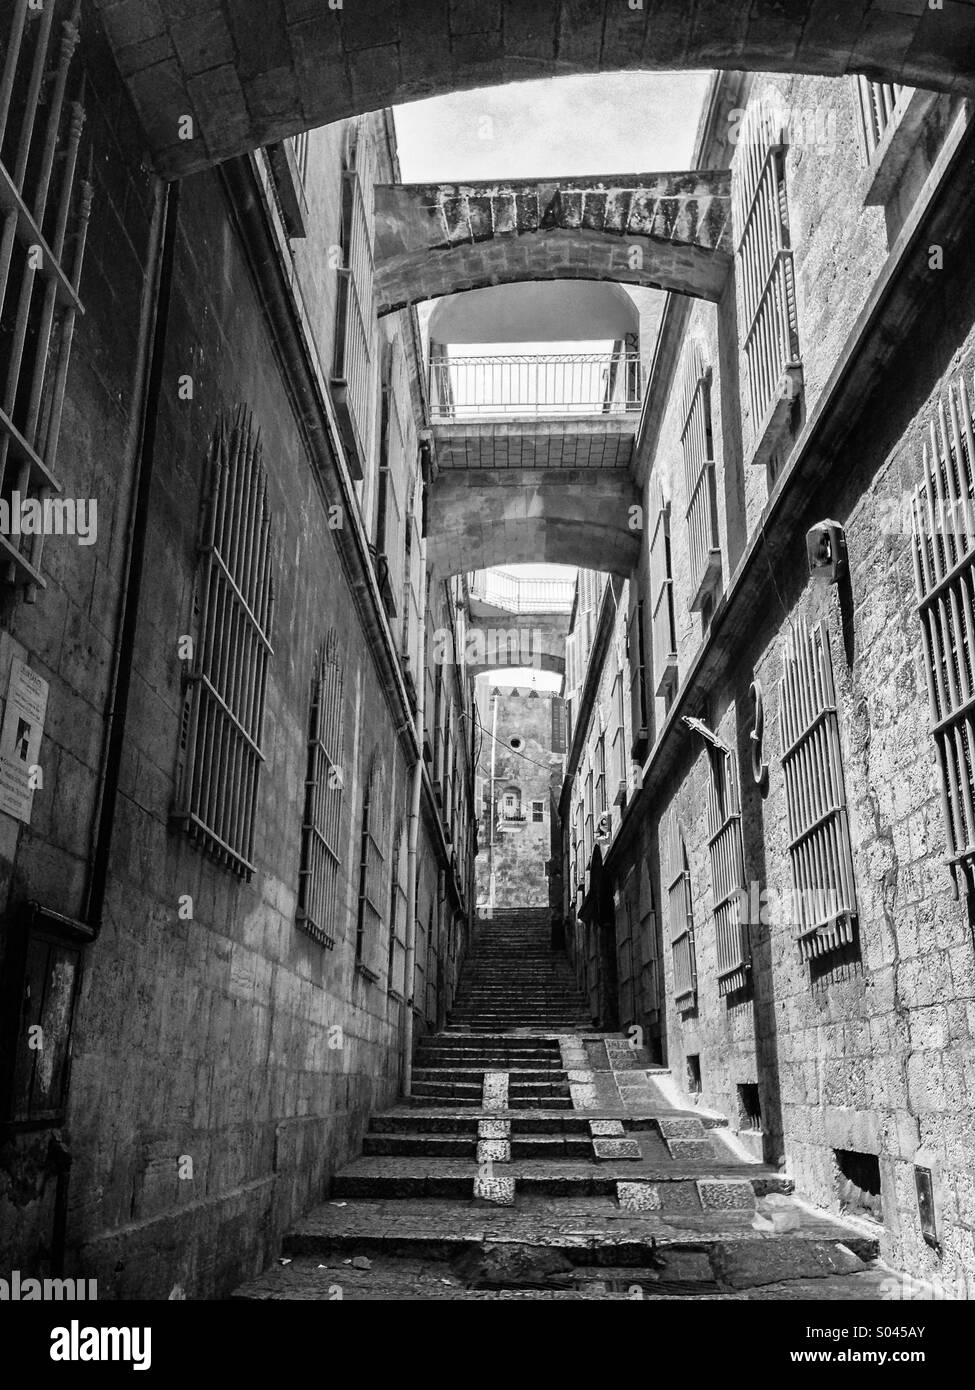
618 123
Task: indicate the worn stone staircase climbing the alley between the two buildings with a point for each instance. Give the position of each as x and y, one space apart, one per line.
542 1160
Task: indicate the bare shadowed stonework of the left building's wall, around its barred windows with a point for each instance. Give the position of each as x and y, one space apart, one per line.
223 1065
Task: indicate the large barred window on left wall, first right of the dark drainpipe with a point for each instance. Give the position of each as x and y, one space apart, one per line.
223 728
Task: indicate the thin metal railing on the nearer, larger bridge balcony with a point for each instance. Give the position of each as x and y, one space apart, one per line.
570 384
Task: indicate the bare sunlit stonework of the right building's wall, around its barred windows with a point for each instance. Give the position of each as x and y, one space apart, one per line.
869 1052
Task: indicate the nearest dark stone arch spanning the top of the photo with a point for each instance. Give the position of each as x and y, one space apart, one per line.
254 72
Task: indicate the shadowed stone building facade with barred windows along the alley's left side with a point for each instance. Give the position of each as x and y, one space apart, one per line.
208 907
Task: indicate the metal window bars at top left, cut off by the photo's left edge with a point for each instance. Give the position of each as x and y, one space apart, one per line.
44 227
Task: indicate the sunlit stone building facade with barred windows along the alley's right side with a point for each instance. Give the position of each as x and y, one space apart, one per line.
793 847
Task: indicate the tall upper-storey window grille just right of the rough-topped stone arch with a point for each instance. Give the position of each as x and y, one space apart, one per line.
766 276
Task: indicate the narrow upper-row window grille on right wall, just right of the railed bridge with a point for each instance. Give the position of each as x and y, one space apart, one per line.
700 489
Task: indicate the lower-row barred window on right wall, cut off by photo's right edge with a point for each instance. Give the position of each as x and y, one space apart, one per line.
944 529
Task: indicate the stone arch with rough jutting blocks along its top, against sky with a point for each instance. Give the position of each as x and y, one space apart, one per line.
661 231
